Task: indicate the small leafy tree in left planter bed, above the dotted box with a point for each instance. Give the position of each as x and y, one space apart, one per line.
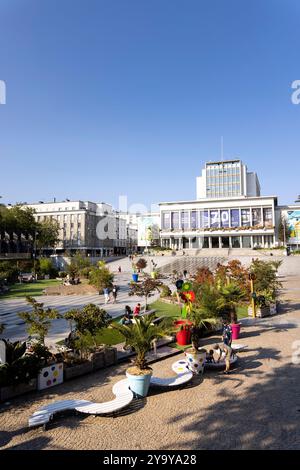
38 321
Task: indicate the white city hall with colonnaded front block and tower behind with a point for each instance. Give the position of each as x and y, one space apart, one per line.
228 212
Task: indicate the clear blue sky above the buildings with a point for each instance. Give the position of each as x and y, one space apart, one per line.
132 96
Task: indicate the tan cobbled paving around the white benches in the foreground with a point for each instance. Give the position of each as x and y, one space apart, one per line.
256 407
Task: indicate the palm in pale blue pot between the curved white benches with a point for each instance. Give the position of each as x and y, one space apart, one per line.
140 337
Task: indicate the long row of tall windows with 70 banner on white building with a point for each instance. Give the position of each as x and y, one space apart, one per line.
218 218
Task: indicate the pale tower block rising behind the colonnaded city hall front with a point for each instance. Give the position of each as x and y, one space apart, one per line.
227 179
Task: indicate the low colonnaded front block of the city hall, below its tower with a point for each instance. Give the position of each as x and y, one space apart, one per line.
223 223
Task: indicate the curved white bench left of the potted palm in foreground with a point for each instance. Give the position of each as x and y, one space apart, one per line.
123 397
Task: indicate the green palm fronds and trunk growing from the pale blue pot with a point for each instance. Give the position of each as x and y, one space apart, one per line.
141 334
